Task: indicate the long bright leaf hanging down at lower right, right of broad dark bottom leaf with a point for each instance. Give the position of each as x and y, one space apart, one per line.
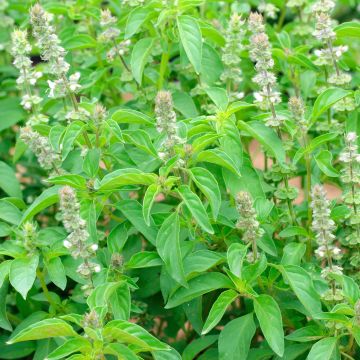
269 316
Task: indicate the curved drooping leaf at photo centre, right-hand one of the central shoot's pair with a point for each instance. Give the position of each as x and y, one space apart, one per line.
208 185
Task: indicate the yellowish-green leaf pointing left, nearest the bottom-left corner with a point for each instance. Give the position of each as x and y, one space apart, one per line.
44 329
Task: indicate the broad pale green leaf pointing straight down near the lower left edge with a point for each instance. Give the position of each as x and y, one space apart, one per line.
23 274
